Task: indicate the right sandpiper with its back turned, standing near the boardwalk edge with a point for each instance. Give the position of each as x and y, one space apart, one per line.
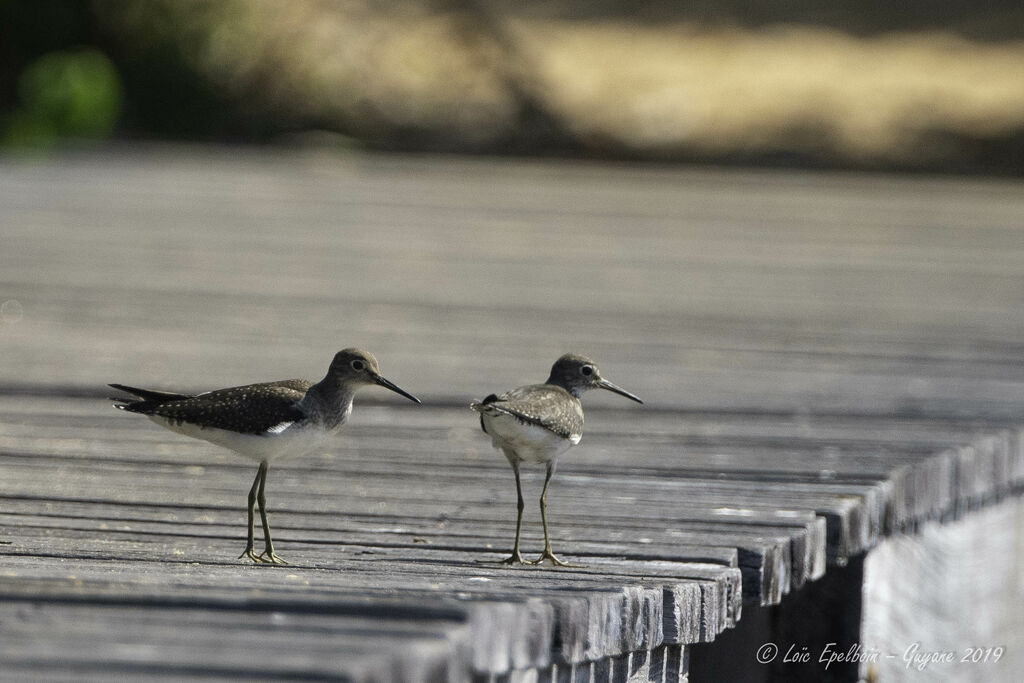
539 422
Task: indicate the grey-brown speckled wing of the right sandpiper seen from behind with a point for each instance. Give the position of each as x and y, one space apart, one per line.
543 405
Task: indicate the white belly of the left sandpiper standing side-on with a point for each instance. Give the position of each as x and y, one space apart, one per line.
294 442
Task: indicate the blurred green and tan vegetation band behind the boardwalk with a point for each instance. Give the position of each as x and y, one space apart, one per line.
912 86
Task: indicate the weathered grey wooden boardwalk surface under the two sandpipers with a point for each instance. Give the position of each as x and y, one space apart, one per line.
826 361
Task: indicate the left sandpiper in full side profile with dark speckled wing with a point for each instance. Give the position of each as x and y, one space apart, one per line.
265 422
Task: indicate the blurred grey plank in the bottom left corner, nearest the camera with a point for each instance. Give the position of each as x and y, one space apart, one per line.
118 639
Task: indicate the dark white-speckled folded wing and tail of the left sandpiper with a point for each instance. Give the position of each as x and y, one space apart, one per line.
255 409
